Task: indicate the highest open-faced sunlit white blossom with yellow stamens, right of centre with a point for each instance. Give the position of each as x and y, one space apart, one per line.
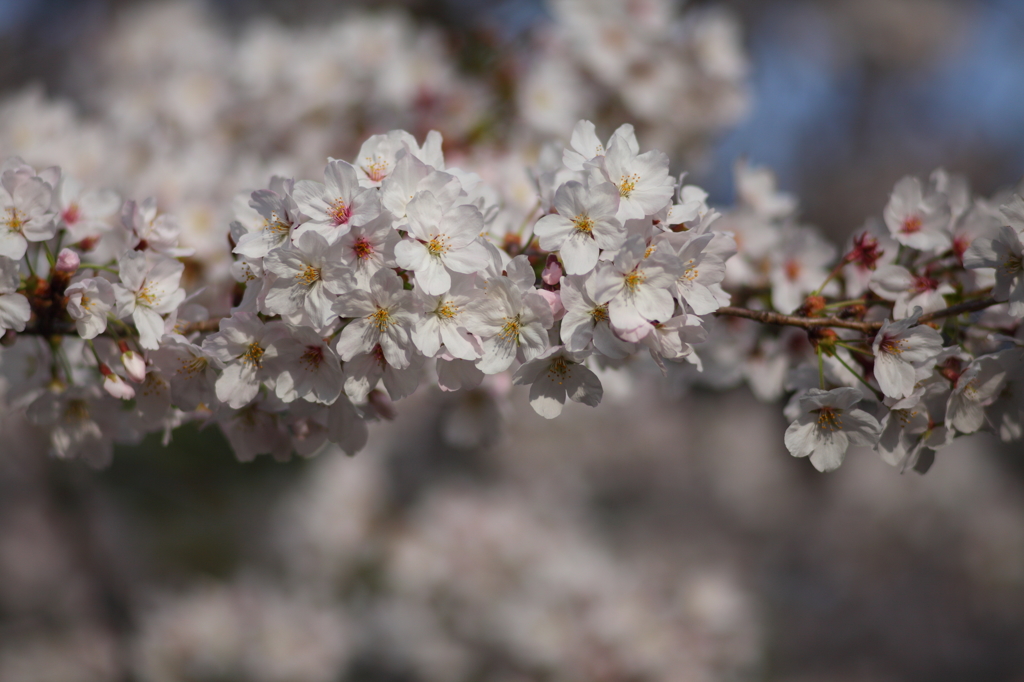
644 182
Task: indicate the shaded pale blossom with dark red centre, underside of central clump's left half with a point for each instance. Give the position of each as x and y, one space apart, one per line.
309 368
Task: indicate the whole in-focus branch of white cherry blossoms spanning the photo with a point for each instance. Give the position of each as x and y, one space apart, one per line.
397 270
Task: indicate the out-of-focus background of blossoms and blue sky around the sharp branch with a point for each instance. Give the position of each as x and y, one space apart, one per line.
665 536
